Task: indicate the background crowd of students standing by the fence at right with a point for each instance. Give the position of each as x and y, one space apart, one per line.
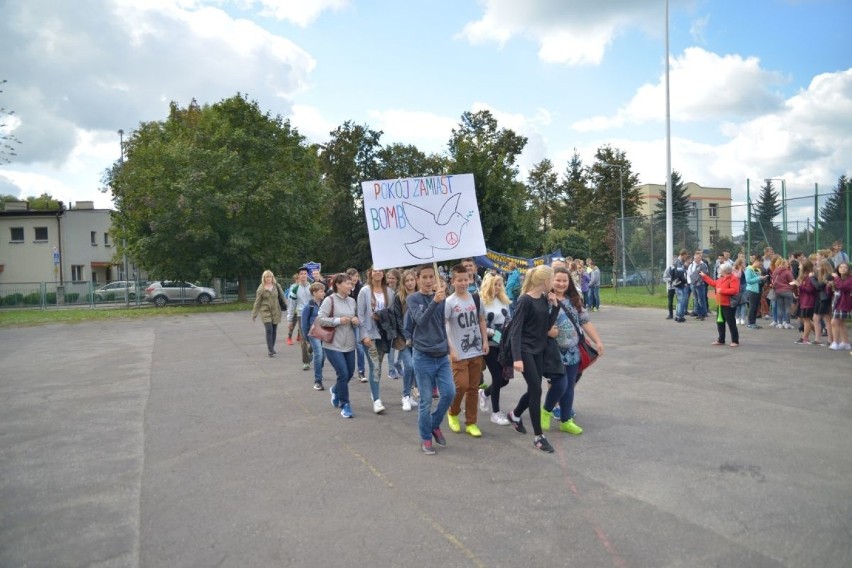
815 290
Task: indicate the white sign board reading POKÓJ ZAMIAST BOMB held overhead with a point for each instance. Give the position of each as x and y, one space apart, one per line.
422 220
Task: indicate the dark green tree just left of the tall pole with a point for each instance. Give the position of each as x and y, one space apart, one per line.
609 177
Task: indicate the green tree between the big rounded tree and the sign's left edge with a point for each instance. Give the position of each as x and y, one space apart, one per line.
350 157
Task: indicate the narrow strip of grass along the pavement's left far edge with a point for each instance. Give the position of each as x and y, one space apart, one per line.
21 317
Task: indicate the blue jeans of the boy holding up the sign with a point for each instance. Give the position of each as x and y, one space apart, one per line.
433 372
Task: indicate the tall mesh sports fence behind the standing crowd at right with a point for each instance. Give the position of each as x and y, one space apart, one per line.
800 225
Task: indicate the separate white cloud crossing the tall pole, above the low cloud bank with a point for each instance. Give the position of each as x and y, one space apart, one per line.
704 86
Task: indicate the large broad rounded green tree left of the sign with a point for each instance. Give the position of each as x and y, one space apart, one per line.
221 189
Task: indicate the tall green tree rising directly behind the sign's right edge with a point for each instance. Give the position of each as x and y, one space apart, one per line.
490 153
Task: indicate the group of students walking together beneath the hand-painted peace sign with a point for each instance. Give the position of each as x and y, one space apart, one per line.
440 335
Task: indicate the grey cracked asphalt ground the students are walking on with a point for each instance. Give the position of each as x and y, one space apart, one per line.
178 442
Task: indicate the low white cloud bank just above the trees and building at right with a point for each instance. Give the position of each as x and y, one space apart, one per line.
807 140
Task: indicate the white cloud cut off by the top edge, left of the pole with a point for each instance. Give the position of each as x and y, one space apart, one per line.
573 33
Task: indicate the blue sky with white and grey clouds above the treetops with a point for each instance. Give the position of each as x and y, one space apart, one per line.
759 88
